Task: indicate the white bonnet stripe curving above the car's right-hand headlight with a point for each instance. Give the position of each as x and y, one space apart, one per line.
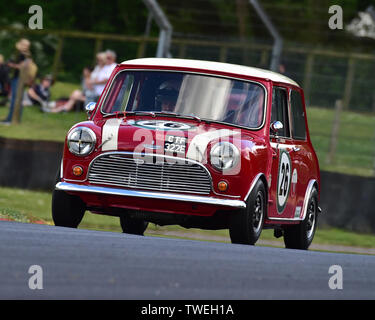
200 142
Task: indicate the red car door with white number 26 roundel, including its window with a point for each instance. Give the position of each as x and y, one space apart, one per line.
283 199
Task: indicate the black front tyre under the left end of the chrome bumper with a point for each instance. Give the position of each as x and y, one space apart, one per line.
67 210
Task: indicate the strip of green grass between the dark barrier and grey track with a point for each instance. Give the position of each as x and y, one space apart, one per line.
31 206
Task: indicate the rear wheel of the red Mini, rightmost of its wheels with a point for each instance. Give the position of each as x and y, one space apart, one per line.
301 235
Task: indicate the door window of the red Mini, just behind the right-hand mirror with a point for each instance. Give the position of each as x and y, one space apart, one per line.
280 110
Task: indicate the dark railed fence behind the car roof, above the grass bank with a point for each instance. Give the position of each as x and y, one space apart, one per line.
325 75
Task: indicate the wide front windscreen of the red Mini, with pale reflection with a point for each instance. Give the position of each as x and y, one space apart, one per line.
207 97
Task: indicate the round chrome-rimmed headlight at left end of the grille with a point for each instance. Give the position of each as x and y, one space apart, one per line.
81 141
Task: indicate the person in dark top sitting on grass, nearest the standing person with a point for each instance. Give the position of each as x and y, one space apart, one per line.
39 94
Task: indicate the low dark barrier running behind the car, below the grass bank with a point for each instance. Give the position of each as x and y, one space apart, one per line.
347 201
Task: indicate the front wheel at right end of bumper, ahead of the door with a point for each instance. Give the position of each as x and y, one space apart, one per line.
246 225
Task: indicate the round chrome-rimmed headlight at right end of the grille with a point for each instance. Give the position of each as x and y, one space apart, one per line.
224 155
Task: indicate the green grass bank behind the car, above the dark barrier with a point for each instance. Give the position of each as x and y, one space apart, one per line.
355 150
